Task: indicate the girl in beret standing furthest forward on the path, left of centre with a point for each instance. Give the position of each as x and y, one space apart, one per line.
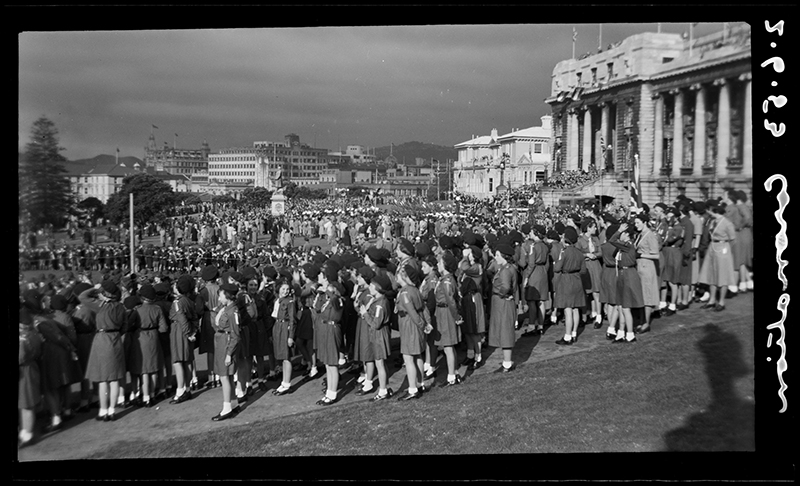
225 321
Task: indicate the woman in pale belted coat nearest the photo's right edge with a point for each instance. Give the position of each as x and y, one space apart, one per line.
718 270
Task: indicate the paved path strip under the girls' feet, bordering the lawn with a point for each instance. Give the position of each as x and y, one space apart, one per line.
83 437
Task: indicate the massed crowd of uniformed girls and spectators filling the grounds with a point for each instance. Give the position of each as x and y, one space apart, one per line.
267 310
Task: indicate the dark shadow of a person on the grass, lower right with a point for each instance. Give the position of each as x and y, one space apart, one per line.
728 423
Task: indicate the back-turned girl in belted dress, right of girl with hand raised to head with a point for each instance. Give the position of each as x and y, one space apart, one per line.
146 356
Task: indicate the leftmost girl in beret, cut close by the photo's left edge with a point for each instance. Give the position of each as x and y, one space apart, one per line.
29 397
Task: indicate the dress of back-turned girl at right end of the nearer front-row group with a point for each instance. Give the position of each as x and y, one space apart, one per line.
503 313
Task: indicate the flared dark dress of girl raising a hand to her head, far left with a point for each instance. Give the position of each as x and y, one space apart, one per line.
107 357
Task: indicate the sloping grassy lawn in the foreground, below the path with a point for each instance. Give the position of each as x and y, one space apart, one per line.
691 389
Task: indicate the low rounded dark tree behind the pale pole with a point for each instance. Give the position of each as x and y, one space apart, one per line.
151 197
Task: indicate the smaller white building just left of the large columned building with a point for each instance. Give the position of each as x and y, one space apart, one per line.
518 158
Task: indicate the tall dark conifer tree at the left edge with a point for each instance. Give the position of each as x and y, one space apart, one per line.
44 190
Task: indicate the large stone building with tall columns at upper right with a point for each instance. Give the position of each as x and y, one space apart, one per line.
683 110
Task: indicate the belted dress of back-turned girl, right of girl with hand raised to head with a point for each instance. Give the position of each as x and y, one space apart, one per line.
146 355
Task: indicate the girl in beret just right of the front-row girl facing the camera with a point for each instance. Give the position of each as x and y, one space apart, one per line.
327 312
